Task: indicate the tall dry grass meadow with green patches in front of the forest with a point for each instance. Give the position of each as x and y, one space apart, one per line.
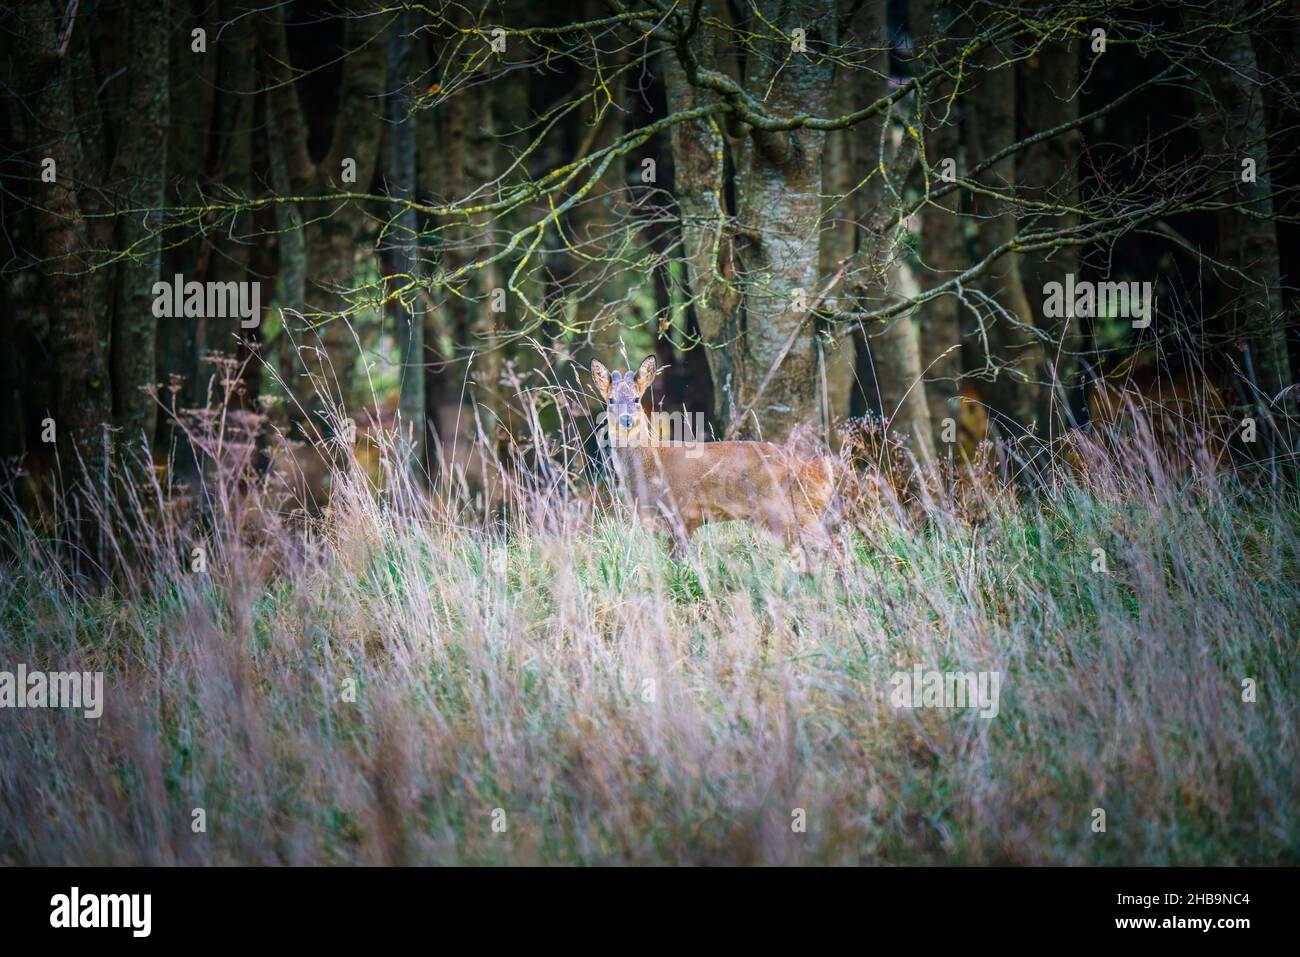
619 707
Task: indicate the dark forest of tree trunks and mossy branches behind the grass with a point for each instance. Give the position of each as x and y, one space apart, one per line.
609 179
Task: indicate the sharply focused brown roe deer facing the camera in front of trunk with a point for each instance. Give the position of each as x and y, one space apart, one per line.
690 483
